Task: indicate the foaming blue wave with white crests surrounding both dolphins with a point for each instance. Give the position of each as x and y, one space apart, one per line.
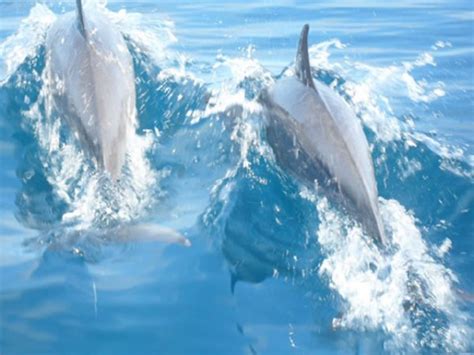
201 126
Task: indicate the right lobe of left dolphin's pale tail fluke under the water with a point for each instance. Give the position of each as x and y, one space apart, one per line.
150 232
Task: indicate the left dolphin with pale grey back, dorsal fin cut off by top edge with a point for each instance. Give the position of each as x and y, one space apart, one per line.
92 81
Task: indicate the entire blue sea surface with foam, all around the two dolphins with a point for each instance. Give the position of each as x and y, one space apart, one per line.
274 267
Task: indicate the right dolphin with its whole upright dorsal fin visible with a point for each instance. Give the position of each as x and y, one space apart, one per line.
316 136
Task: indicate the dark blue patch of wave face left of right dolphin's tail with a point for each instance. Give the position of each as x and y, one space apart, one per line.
264 229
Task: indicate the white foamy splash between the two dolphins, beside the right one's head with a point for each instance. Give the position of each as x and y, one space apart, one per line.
233 98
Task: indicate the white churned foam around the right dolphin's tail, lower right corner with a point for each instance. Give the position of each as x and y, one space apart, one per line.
376 288
